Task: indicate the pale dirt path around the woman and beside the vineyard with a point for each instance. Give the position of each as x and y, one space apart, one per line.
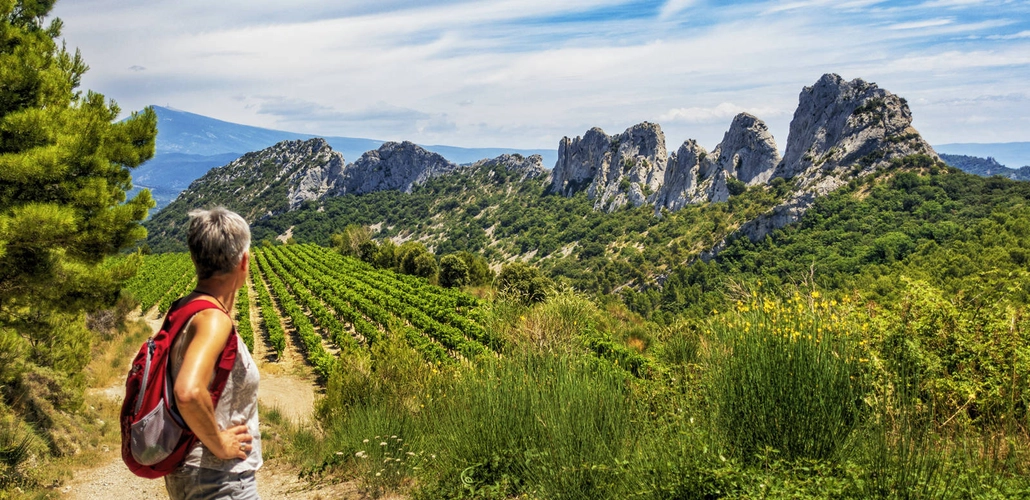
293 393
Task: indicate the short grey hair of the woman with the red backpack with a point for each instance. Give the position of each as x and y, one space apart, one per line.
218 240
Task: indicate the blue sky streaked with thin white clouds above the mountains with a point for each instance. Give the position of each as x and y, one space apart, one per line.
525 74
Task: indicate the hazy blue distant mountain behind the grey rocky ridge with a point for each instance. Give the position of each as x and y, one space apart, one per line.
190 145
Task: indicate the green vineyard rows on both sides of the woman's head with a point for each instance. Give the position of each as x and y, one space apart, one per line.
332 306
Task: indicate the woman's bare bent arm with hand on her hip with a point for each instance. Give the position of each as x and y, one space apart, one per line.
212 329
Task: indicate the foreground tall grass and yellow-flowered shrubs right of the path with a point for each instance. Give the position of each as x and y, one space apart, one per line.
793 398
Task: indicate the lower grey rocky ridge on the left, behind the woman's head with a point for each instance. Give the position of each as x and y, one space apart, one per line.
301 175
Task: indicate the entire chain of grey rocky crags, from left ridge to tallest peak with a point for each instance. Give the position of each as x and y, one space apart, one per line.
841 130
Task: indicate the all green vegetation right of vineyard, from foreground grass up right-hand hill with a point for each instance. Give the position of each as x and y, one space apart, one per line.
861 354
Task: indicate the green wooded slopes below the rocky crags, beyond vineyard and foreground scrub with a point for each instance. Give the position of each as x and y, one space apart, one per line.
920 220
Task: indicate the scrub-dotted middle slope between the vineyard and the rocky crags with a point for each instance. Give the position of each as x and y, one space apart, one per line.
496 213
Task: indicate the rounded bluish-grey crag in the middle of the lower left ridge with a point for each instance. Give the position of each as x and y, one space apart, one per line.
394 166
